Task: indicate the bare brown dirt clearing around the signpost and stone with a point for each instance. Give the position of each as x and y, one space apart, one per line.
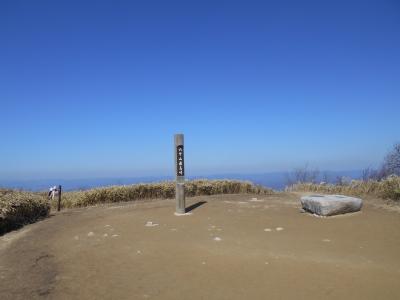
230 247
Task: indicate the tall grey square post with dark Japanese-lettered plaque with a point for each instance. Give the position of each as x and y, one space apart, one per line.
180 175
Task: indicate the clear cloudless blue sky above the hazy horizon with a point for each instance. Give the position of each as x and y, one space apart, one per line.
98 88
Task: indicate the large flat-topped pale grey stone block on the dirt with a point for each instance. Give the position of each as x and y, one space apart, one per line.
330 205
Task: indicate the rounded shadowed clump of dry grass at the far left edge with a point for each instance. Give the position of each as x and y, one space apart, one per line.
18 208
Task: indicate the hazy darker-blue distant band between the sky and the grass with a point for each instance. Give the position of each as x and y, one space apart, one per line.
274 180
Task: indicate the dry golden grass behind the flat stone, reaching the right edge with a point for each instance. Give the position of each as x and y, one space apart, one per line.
388 188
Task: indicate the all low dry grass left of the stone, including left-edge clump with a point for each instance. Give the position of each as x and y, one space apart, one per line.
18 208
